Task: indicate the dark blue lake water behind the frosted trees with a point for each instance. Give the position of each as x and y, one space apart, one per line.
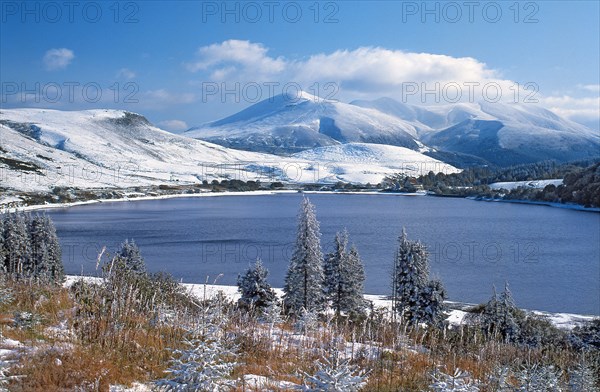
549 256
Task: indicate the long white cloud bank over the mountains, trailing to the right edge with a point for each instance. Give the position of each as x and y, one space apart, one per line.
373 72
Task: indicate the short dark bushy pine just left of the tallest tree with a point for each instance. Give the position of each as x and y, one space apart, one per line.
255 290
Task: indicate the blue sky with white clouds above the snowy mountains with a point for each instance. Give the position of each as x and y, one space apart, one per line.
183 63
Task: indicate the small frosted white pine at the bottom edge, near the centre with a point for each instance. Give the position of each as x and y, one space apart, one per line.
335 374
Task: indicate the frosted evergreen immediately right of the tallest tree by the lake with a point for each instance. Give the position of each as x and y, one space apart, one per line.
344 277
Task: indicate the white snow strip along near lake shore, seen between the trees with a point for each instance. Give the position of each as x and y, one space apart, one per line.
456 315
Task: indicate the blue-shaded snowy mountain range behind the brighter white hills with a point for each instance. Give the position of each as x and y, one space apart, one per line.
461 134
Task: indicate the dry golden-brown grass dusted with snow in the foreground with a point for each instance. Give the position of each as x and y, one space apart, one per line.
121 345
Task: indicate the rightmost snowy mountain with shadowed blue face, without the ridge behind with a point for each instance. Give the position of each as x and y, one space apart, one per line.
518 134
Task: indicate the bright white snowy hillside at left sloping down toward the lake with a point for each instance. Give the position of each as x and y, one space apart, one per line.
100 148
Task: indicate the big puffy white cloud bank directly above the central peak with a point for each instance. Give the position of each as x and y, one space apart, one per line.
365 72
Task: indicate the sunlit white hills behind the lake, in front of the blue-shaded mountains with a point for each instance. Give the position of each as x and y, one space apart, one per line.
41 149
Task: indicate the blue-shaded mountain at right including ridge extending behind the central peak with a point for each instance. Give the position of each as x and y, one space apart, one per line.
500 133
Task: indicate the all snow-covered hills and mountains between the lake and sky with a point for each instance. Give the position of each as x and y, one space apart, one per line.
315 141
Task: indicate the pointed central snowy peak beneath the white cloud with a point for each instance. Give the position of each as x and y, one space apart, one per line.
290 123
